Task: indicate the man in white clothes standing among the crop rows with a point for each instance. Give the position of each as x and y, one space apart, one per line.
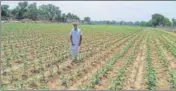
75 39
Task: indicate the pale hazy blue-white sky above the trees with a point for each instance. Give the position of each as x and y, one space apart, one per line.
111 10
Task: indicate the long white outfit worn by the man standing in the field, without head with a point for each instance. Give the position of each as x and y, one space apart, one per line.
76 39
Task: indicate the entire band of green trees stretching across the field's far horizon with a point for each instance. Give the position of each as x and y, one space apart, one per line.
51 13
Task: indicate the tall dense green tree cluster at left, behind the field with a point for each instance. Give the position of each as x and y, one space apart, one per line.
31 11
